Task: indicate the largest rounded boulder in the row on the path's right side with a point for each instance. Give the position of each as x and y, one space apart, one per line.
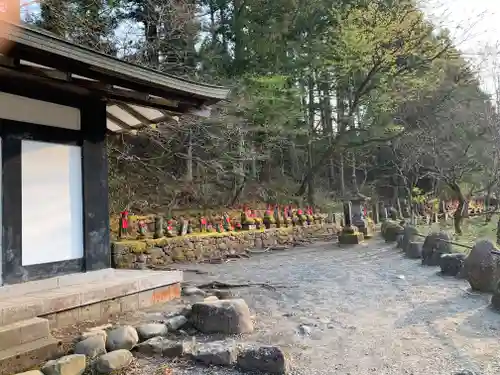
482 268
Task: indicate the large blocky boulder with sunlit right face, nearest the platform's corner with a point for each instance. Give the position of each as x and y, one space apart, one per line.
222 316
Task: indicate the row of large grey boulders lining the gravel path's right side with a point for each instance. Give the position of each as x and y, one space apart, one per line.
478 264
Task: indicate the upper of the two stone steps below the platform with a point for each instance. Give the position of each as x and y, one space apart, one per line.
23 332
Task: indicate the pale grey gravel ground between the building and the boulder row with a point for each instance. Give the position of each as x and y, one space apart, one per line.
367 310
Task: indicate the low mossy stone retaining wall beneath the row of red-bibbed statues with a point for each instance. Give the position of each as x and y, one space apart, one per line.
139 254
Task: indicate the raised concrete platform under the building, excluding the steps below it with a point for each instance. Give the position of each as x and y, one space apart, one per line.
58 295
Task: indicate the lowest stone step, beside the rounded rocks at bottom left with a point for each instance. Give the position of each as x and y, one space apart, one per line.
26 356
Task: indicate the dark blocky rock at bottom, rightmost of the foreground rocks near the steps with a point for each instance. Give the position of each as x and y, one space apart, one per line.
267 359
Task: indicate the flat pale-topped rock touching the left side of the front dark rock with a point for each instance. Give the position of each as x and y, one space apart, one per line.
220 353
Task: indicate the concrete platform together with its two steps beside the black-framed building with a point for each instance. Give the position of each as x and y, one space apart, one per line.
29 311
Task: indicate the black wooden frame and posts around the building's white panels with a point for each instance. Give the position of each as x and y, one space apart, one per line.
92 140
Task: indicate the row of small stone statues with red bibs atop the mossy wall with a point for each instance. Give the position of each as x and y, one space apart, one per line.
157 226
